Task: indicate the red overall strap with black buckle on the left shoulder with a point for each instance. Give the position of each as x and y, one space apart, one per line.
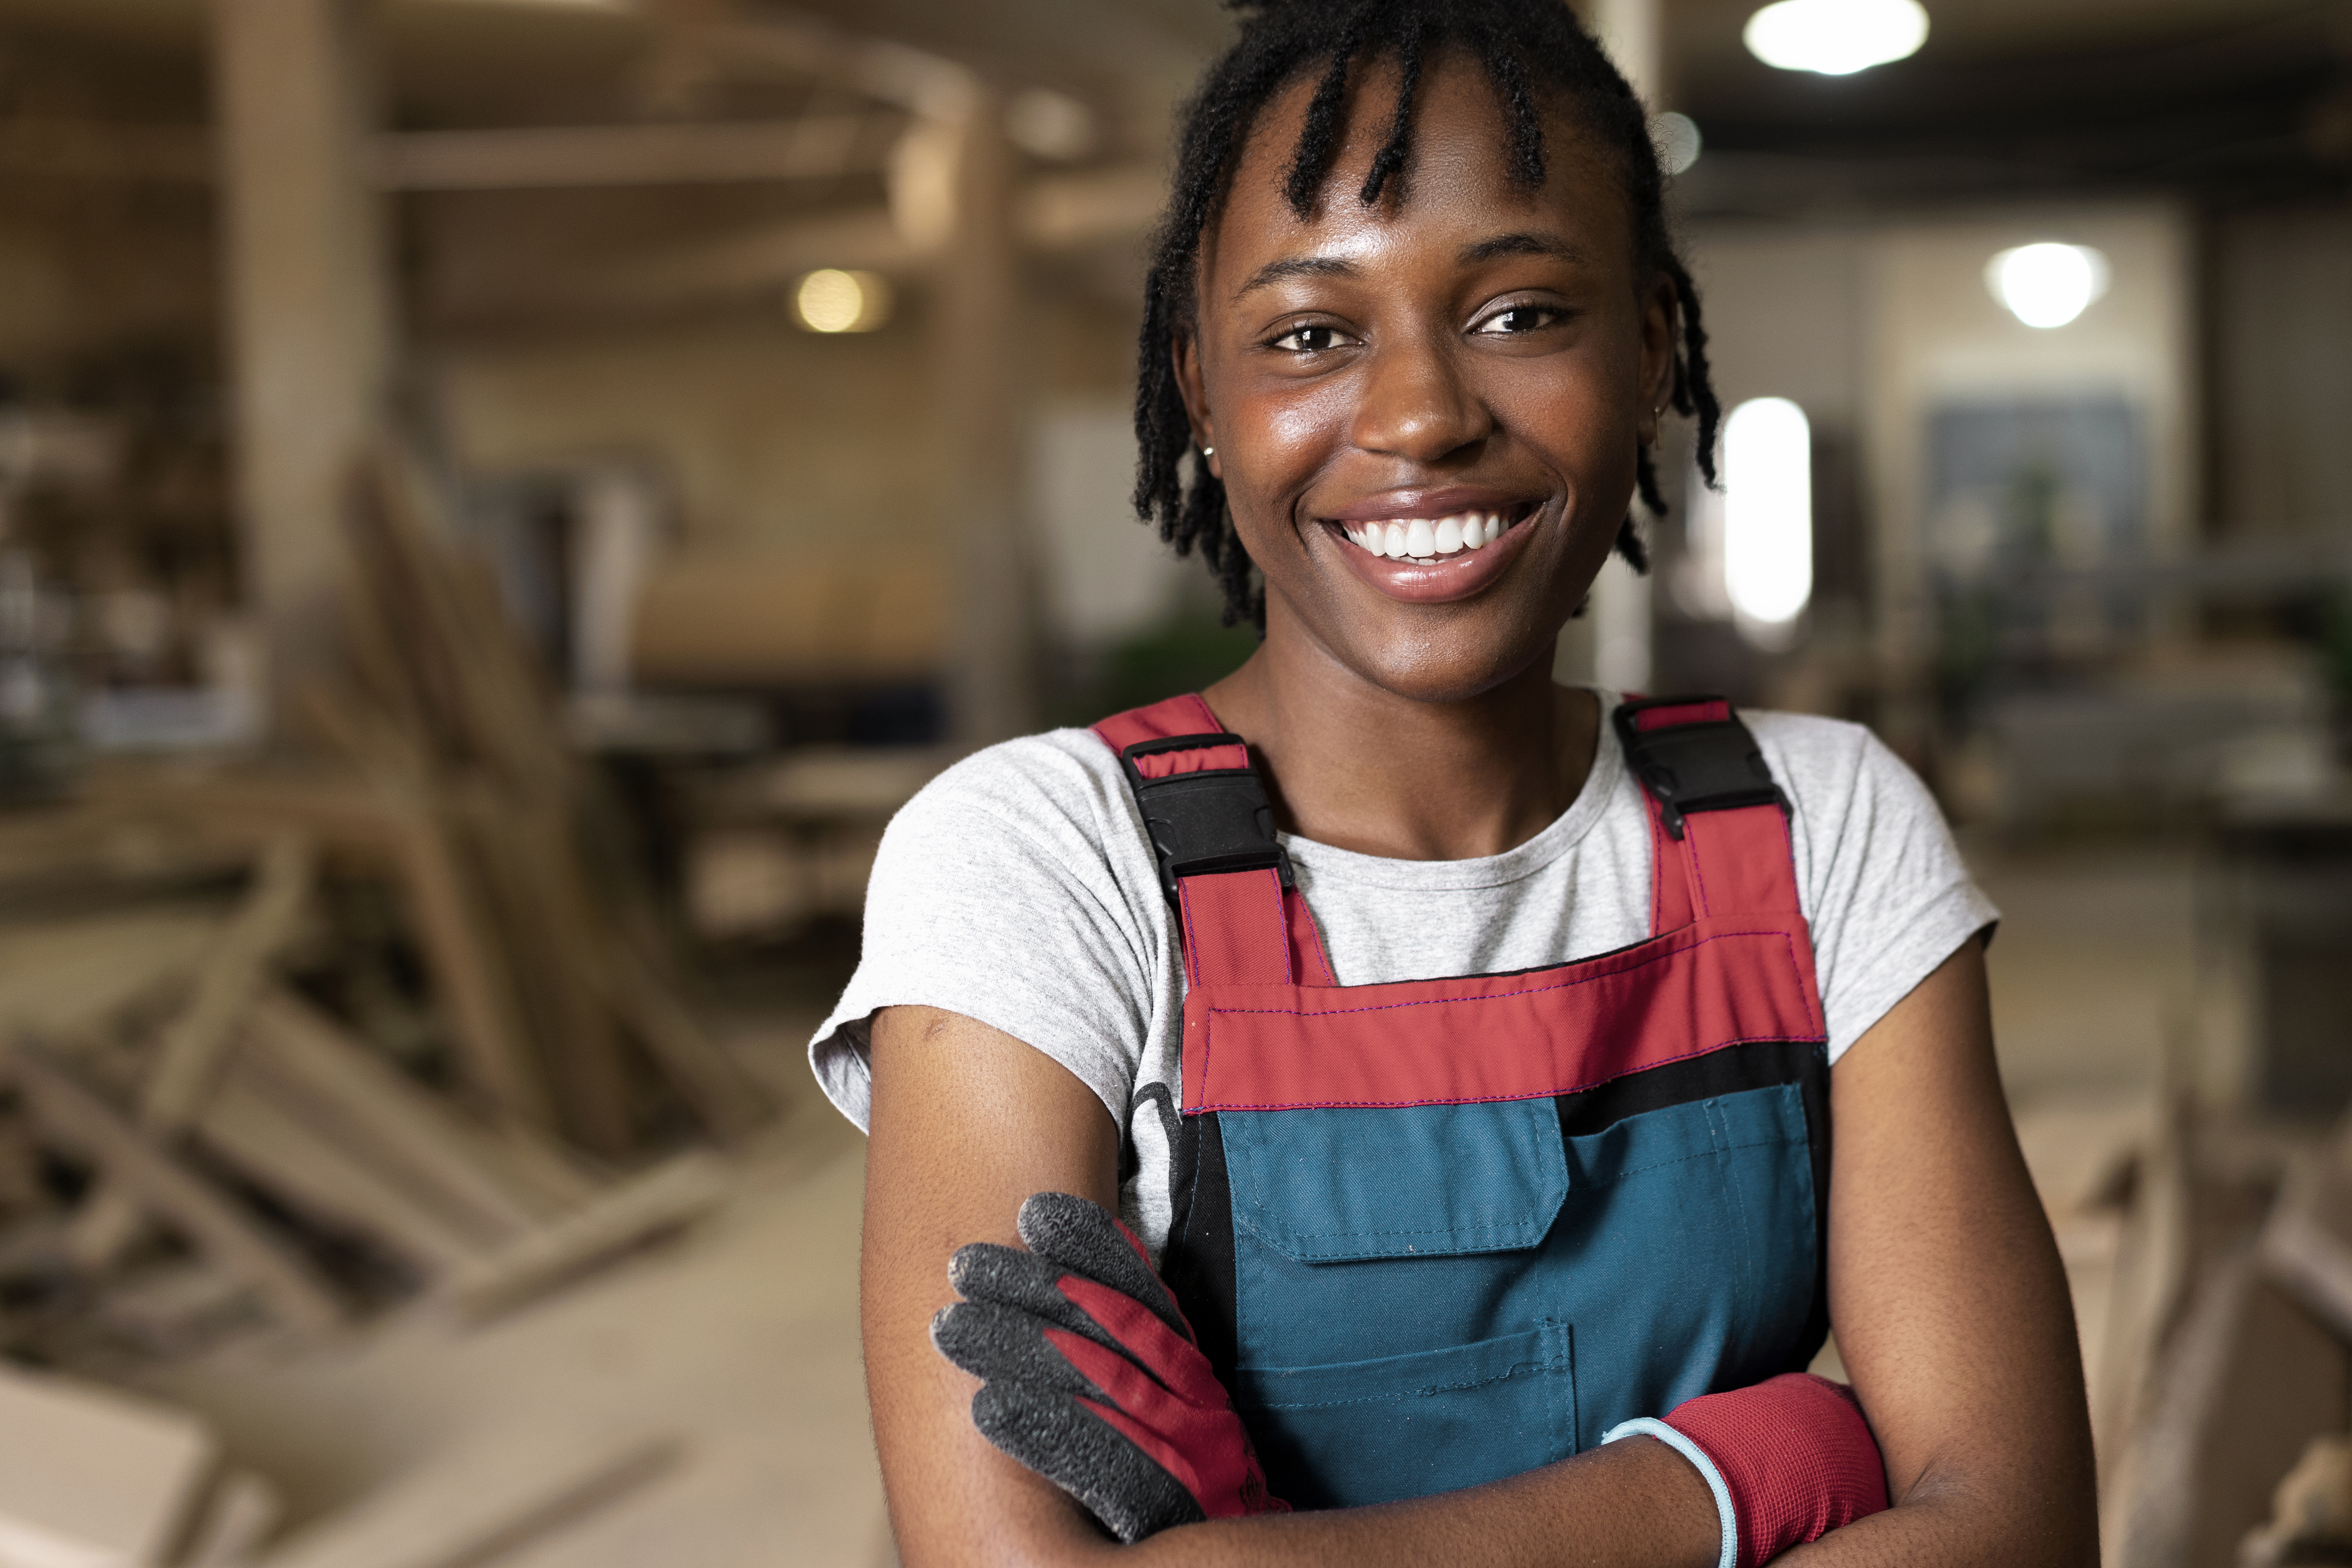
1212 831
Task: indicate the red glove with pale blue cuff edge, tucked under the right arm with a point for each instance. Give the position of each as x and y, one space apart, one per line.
1789 1461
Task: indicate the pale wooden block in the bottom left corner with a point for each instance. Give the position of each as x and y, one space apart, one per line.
93 1477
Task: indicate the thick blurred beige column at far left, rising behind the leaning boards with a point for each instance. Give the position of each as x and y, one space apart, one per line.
309 300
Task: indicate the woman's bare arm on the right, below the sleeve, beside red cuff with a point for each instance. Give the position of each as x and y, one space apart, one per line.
1951 1304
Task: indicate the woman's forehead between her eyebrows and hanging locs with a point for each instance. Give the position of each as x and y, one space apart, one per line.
1457 182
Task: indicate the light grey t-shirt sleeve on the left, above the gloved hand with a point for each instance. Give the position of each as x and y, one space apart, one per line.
998 894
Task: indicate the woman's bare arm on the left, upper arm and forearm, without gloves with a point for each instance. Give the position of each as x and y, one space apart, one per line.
965 1125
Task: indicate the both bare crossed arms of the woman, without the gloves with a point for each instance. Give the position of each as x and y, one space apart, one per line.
1946 1292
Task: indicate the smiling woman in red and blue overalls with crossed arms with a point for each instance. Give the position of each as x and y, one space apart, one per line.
1478 1101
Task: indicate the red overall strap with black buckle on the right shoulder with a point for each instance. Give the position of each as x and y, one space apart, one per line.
1718 819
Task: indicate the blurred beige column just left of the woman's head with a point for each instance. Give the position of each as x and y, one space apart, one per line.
977 288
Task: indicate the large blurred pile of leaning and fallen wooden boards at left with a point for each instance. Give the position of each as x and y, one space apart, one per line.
316 1118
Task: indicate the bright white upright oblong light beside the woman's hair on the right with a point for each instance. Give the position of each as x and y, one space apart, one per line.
1768 511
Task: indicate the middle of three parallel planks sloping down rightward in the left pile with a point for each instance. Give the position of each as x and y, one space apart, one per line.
314 1172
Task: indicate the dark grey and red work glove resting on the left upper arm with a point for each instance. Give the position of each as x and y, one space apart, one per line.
1093 1376
